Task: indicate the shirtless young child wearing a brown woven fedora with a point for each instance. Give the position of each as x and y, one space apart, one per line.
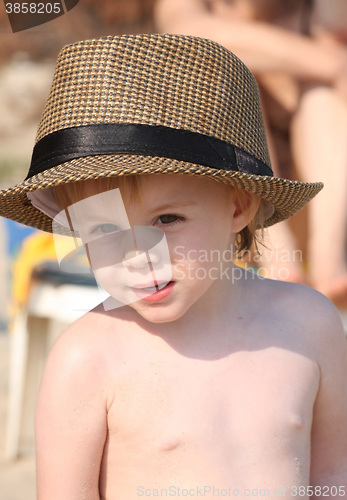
198 379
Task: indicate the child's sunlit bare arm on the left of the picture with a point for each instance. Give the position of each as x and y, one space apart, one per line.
71 424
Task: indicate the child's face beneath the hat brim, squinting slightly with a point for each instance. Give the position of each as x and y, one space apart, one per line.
183 229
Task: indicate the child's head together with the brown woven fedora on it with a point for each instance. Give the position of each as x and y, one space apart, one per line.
153 147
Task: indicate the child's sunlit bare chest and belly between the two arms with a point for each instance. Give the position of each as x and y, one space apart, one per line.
243 420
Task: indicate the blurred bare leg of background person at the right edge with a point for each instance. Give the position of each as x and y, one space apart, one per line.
319 131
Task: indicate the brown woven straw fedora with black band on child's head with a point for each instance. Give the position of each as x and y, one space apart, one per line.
149 104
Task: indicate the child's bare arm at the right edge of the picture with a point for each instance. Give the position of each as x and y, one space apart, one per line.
329 430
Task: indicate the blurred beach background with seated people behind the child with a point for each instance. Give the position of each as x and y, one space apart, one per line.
297 51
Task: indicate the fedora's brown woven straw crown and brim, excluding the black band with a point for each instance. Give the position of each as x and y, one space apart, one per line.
174 81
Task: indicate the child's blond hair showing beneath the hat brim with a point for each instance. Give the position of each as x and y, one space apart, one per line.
70 193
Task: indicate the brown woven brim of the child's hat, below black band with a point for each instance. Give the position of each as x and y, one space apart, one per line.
286 196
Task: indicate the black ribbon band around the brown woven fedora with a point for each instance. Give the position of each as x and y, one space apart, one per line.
139 139
